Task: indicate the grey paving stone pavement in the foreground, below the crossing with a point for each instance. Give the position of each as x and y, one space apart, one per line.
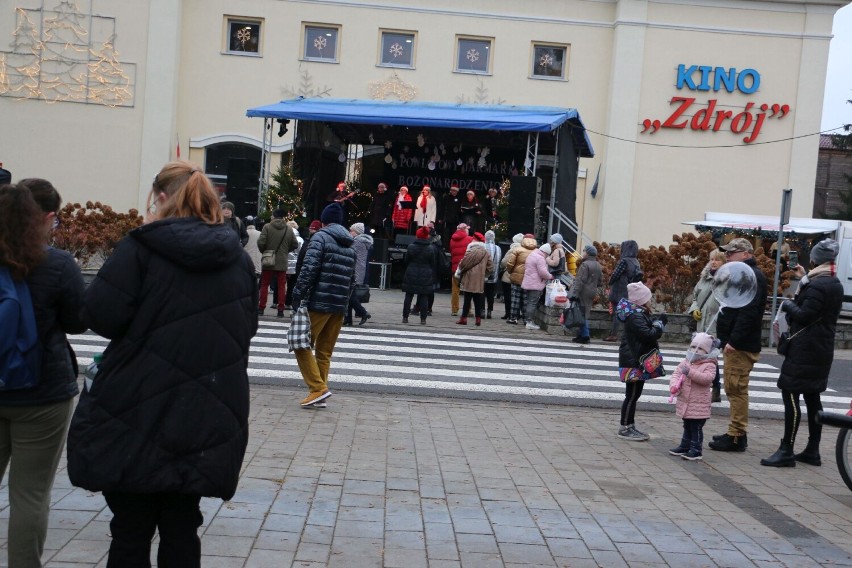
385 481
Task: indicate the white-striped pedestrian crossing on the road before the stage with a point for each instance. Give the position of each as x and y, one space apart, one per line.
473 365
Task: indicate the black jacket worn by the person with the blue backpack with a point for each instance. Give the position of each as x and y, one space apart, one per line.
56 287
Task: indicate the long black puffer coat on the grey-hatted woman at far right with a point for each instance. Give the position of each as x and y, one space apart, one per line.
808 362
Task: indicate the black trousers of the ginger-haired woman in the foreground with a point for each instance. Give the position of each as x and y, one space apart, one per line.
136 516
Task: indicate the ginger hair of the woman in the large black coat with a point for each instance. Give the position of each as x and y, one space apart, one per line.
189 192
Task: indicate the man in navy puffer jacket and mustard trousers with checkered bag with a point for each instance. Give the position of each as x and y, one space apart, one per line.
325 282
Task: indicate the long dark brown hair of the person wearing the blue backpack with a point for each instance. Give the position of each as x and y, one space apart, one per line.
22 232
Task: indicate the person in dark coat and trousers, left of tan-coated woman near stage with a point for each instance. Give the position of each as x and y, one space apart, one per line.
422 266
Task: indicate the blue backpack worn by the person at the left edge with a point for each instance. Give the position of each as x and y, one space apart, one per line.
20 349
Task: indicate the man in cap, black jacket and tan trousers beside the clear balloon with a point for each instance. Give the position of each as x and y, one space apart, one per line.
739 330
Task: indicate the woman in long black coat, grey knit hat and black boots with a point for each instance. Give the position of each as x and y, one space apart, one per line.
812 316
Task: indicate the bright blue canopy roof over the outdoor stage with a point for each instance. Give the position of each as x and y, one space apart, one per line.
433 115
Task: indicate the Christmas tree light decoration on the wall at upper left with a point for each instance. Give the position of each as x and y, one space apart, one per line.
61 61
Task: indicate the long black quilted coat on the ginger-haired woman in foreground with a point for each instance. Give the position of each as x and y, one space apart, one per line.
168 410
